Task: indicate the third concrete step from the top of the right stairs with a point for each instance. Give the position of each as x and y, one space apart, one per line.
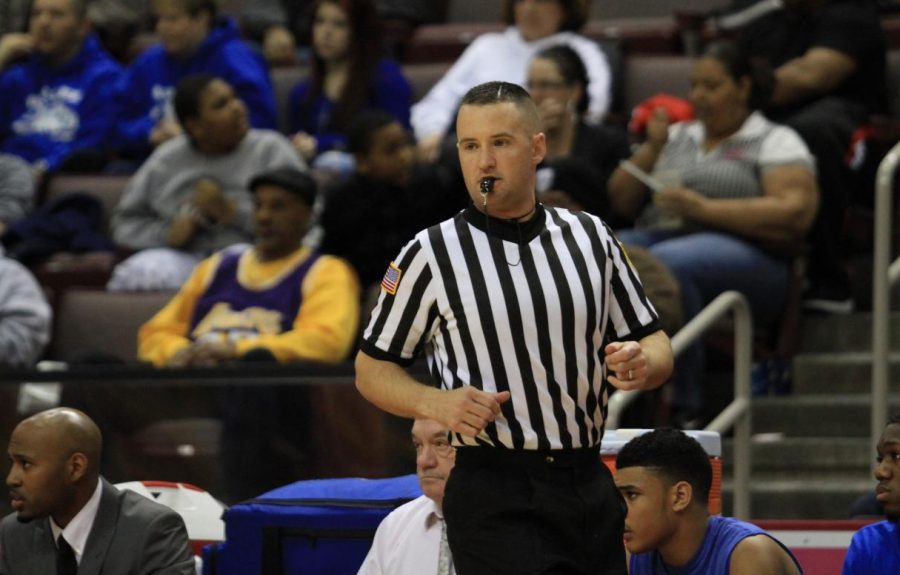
821 416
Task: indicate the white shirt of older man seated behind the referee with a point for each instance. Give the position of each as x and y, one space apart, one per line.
407 541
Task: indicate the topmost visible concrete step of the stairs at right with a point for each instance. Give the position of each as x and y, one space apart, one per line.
842 333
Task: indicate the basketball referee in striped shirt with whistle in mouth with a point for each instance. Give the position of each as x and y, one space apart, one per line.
528 316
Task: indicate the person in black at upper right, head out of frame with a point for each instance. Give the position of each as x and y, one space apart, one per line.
829 60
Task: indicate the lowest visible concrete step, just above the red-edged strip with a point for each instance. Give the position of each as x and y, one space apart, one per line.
801 496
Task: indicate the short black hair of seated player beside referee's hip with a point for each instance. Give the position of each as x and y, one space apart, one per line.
673 455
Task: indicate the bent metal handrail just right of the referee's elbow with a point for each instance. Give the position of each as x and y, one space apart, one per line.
737 414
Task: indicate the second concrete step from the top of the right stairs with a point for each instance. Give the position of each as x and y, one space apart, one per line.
832 372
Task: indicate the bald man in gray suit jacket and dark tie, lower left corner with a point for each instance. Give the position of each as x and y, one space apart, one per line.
67 518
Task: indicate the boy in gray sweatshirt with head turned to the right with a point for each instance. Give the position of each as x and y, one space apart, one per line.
190 197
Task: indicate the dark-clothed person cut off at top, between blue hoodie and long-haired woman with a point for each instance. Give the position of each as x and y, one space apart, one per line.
278 26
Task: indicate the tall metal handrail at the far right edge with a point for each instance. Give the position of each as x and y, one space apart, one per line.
884 274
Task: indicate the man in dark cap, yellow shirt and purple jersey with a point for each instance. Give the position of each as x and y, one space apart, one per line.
275 301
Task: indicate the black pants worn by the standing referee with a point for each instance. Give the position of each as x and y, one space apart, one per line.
522 512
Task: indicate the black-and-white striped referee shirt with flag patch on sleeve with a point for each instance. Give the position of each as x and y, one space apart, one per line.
523 307
